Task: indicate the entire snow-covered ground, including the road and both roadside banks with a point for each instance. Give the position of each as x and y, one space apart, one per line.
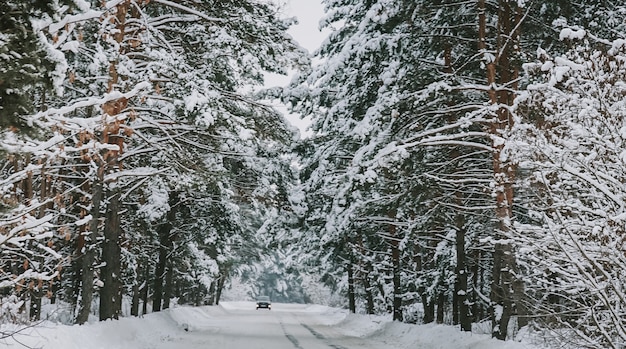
237 325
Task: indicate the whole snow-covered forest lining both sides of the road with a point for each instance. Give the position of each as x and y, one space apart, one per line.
465 166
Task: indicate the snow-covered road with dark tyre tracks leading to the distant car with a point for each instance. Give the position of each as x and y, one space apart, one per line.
284 327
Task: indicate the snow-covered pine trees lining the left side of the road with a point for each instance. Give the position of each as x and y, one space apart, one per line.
154 148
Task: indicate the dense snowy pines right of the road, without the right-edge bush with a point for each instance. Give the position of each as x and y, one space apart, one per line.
412 108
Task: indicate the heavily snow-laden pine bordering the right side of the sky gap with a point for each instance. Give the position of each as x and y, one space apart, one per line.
350 94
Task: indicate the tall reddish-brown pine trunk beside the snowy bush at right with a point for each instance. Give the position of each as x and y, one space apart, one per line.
504 264
